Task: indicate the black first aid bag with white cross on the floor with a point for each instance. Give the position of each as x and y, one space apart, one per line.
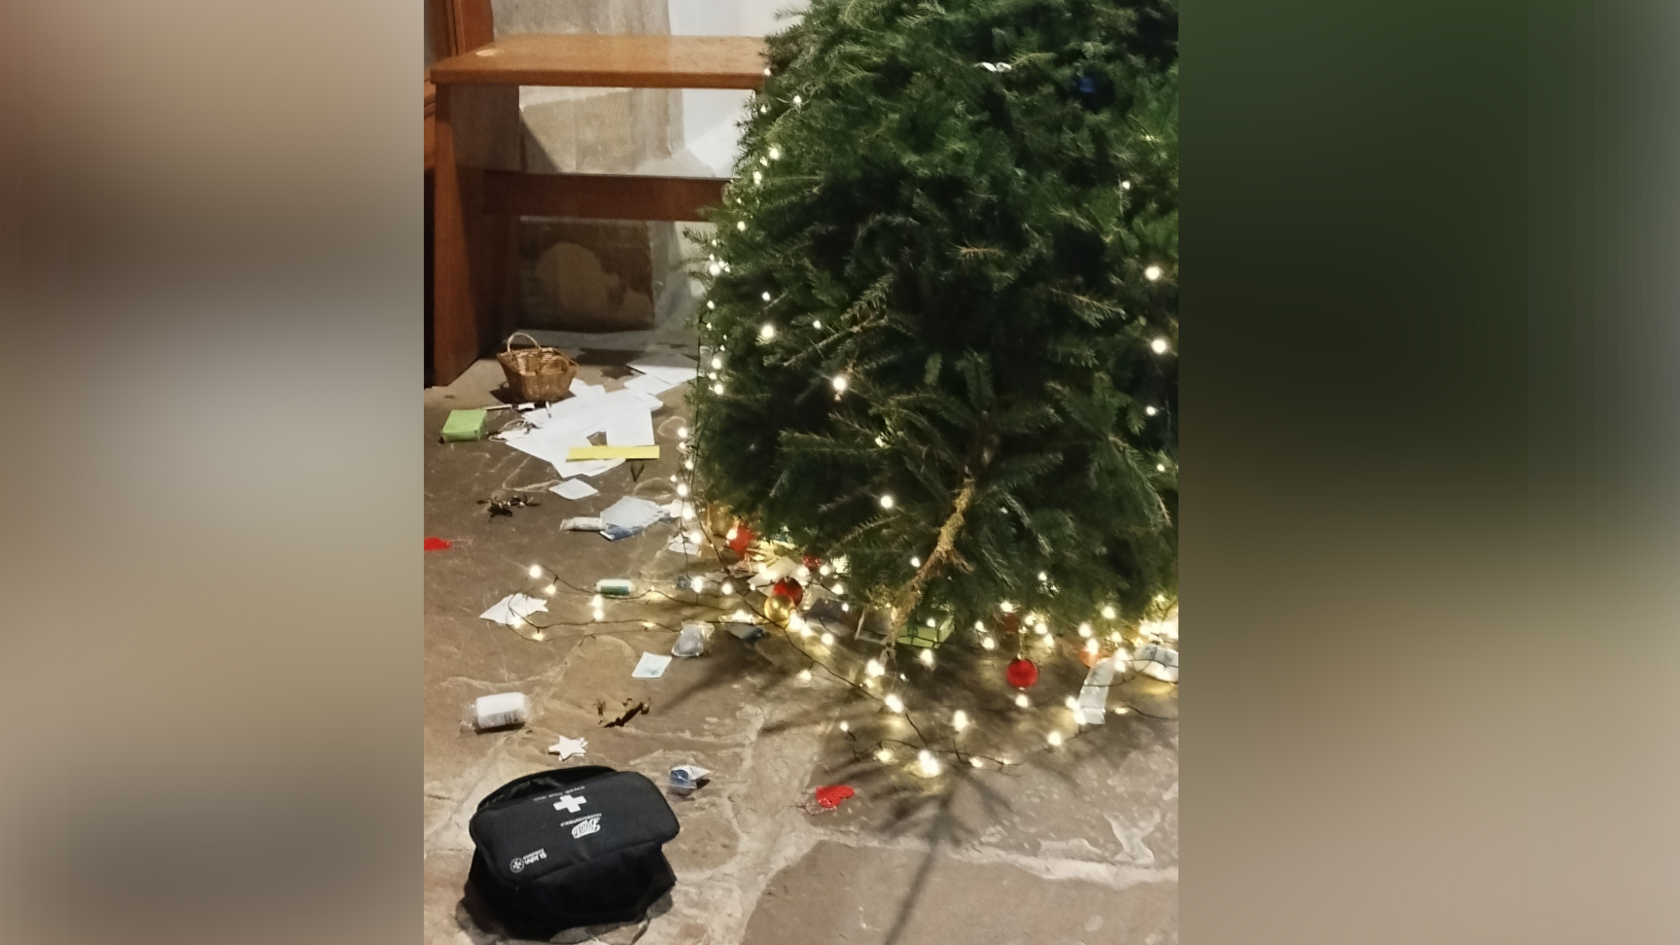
572 847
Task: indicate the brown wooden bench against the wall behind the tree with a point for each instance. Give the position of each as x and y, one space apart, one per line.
480 191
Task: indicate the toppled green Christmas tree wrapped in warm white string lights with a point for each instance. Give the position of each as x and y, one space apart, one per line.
942 307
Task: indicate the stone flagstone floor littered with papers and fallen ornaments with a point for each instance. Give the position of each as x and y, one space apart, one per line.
1073 845
